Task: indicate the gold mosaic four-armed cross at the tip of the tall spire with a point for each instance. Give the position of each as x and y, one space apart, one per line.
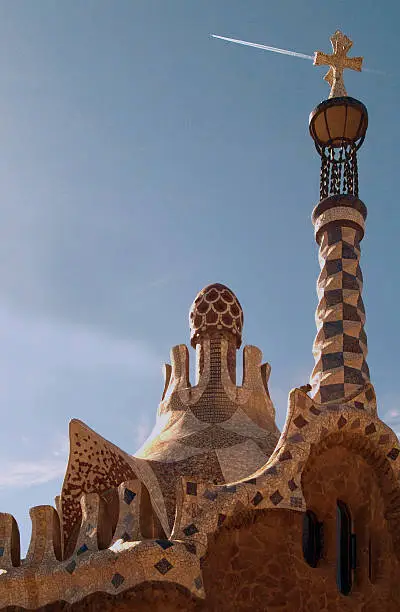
337 62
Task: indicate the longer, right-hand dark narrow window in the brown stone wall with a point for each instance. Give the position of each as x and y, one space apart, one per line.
346 549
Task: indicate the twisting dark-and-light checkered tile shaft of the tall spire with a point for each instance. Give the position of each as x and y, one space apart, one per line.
340 347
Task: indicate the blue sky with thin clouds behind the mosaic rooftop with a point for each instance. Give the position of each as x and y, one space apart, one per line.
140 160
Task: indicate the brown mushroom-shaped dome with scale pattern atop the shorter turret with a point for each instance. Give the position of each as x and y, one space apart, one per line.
216 308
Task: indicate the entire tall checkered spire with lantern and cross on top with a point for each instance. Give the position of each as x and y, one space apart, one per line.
338 126
